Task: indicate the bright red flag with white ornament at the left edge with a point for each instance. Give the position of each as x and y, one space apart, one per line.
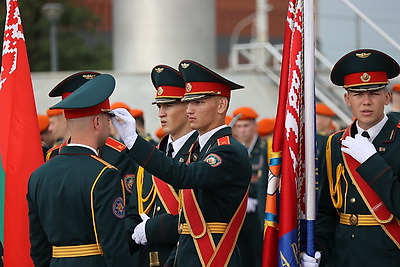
20 146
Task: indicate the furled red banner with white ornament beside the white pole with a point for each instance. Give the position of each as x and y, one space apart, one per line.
287 140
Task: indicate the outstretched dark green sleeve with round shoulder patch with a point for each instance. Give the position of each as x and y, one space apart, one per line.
199 174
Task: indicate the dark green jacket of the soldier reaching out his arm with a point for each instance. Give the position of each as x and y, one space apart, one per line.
220 178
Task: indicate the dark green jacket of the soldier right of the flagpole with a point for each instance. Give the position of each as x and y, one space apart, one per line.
352 245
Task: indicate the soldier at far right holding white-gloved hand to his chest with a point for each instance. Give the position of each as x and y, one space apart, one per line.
357 220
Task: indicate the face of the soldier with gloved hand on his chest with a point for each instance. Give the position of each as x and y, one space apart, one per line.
368 107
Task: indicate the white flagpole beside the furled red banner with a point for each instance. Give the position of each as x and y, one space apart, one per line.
309 122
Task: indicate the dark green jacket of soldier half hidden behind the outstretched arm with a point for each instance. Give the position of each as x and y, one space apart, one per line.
162 228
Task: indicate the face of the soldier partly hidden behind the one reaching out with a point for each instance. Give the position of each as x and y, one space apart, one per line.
173 118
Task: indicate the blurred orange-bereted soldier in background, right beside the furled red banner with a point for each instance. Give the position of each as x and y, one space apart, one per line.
251 236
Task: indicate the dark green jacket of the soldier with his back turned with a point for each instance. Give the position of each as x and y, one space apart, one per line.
73 199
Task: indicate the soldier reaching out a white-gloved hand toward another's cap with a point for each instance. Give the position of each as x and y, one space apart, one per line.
215 179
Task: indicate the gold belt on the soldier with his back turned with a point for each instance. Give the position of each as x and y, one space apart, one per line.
77 251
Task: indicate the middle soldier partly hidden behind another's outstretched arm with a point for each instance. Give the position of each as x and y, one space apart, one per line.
156 201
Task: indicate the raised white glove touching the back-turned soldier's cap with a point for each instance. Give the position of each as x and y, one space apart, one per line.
125 125
